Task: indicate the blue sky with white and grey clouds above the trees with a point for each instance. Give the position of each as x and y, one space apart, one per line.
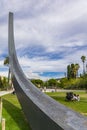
49 35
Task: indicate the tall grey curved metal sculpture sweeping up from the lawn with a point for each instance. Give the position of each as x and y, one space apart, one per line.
42 112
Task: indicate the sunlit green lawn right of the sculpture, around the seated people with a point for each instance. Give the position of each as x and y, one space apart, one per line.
79 106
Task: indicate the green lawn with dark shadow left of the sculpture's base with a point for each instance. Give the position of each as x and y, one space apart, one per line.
13 114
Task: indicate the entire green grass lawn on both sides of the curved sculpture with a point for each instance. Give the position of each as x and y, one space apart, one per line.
15 119
